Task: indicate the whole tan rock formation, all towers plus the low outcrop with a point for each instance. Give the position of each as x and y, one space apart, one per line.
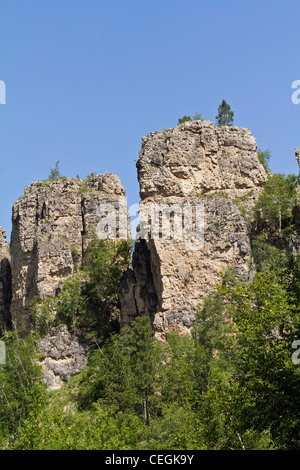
198 184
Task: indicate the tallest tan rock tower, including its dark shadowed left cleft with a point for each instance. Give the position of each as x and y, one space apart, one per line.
197 182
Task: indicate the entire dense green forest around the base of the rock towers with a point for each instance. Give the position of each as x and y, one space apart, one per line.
234 383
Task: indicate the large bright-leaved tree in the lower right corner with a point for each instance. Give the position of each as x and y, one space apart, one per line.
264 386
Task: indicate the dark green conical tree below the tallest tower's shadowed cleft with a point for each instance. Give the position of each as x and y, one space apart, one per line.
122 374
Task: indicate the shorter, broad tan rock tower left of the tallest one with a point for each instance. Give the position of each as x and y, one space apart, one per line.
52 225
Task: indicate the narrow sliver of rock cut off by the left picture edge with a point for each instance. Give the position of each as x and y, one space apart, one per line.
5 280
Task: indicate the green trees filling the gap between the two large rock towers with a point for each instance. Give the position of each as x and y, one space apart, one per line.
88 300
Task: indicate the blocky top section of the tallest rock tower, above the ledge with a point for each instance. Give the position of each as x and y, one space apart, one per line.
199 158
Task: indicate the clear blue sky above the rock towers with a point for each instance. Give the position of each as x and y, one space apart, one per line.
86 79
